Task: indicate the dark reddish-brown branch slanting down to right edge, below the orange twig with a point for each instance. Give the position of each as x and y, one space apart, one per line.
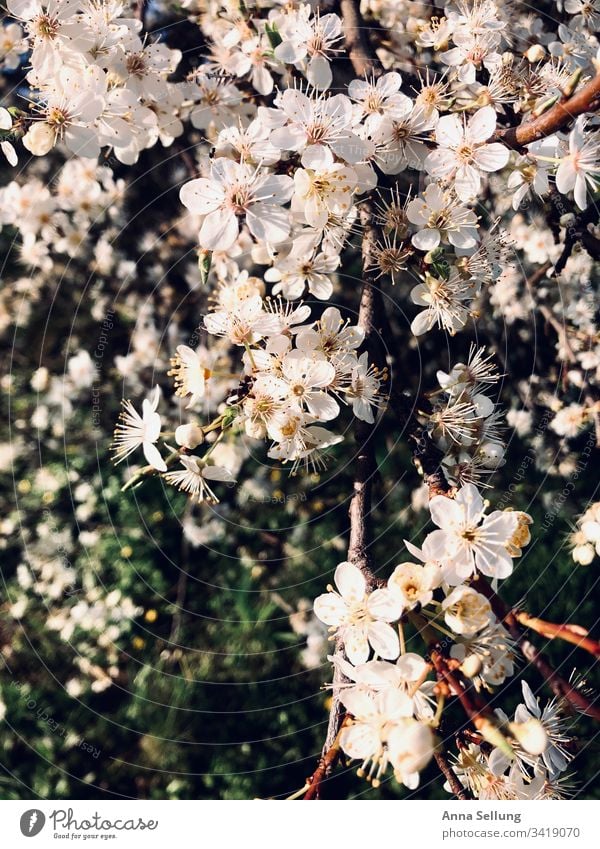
561 688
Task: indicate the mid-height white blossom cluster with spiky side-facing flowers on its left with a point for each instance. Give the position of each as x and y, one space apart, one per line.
296 374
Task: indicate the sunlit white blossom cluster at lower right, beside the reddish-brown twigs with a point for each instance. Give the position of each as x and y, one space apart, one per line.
392 700
